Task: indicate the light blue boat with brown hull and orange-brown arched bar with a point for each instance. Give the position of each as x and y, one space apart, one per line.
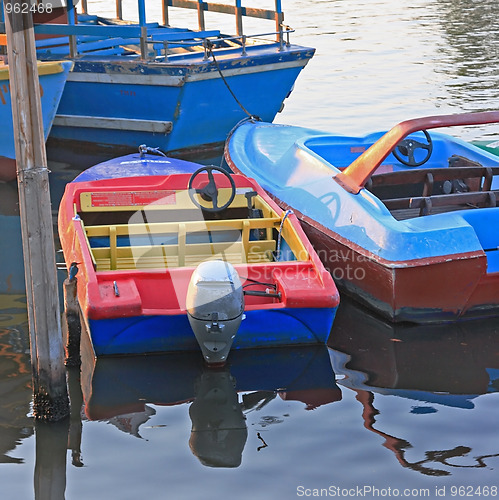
403 220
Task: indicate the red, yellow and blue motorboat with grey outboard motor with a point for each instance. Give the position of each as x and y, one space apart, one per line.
164 248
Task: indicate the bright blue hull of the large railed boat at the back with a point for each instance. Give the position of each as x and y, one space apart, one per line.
176 107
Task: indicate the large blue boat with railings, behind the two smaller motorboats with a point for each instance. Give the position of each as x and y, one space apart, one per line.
177 89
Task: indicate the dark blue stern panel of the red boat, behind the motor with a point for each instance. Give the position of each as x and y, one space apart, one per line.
270 328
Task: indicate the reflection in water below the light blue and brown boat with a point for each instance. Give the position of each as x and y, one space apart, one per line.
432 367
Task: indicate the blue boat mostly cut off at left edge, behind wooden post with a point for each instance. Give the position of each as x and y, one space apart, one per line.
52 76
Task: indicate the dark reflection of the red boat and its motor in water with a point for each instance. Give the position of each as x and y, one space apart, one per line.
120 391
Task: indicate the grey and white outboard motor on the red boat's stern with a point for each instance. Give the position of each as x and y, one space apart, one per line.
215 306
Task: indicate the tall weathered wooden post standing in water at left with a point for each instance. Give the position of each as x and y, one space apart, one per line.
50 395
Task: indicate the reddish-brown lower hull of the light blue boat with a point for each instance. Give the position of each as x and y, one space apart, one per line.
408 291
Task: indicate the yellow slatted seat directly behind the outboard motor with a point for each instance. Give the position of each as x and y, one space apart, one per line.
178 244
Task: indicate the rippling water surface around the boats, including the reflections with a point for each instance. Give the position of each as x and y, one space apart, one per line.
382 410
